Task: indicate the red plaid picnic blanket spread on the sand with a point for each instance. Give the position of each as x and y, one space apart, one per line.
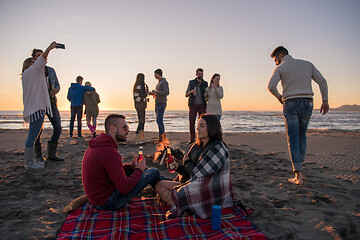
142 218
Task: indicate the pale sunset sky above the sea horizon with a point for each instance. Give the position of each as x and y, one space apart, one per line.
109 42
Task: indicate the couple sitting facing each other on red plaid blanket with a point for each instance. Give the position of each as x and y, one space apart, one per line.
203 180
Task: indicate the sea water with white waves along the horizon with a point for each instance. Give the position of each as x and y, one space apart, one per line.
232 122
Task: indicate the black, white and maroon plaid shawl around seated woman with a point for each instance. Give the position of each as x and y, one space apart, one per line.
209 185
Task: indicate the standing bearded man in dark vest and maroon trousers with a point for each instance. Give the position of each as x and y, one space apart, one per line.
196 100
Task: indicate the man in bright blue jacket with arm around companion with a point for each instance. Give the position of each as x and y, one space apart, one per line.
75 96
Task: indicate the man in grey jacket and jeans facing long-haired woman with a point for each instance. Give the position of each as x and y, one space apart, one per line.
161 92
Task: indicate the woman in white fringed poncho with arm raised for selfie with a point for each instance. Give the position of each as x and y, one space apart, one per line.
36 102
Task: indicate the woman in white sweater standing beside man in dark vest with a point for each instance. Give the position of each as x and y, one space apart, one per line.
213 96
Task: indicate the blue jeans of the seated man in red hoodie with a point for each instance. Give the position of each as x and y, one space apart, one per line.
117 200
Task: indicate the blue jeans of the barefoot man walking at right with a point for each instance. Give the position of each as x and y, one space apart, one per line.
297 114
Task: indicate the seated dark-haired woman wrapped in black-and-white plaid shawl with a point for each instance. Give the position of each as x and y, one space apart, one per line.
204 175
